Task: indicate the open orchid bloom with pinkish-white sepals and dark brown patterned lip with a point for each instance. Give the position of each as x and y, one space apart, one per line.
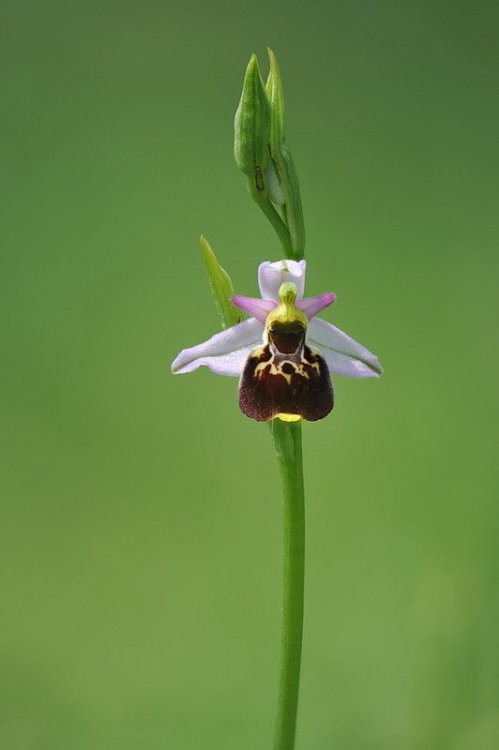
283 354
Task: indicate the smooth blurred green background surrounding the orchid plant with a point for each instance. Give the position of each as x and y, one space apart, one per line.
140 512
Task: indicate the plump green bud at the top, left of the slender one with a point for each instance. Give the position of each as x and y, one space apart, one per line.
252 128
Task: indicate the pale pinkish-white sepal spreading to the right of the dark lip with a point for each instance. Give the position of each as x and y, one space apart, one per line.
344 355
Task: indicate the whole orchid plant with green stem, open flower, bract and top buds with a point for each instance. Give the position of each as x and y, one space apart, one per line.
283 354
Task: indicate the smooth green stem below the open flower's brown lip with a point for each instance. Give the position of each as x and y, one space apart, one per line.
287 443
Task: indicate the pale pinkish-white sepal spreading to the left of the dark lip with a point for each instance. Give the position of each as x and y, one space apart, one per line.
225 353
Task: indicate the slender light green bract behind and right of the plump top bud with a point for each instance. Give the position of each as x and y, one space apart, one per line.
288 186
